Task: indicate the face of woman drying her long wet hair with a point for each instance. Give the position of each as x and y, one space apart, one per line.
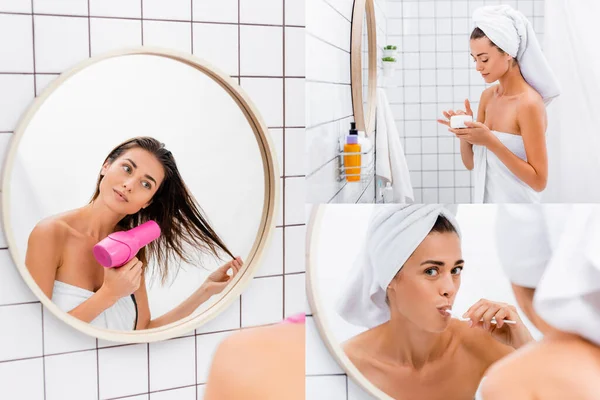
130 181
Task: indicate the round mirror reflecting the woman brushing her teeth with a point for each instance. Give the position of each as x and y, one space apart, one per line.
370 346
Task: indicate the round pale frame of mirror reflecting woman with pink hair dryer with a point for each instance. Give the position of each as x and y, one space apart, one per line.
266 226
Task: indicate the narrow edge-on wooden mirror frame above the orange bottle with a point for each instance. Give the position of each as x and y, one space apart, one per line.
361 9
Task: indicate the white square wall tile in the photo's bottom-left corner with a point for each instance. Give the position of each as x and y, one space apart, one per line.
24 377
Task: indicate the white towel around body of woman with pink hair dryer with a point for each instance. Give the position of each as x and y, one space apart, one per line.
120 316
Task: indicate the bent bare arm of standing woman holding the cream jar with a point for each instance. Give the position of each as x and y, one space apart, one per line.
534 172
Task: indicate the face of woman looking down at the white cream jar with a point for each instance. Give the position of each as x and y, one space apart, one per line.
490 62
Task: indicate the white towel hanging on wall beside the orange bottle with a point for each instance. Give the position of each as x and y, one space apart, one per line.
391 163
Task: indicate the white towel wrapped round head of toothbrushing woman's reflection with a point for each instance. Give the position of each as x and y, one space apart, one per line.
394 233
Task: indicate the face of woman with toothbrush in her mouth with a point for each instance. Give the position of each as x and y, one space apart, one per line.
427 283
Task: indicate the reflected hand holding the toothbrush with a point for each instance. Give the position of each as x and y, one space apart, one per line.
481 314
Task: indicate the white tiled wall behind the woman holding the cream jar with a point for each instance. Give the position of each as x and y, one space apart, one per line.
435 73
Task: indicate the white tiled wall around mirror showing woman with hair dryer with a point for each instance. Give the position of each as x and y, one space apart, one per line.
41 357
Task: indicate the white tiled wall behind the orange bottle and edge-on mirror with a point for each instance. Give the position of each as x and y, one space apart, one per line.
329 98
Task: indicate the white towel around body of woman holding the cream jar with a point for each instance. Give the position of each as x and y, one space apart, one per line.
493 181
